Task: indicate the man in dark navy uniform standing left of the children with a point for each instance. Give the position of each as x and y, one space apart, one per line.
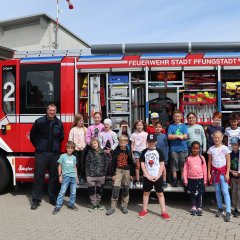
46 136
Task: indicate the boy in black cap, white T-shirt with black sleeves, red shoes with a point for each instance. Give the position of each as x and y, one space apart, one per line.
152 163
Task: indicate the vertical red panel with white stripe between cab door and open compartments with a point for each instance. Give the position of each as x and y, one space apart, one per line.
67 96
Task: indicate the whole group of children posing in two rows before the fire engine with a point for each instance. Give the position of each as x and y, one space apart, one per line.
98 151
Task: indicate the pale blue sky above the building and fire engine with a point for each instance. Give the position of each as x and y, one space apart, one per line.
139 21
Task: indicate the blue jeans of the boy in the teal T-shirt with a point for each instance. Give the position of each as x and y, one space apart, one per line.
65 183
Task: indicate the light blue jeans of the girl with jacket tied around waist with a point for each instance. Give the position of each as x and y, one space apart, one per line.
222 188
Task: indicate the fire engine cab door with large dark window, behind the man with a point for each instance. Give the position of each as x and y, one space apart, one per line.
39 86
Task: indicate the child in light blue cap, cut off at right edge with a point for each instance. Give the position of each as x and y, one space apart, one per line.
234 175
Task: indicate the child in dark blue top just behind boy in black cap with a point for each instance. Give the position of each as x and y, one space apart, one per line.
162 145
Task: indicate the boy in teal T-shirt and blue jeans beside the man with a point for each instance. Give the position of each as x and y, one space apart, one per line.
67 172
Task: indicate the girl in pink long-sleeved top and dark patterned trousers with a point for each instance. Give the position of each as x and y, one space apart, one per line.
195 177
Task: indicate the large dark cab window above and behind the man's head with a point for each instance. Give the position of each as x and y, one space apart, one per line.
39 87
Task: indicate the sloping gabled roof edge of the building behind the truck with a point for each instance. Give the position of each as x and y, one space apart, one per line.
31 19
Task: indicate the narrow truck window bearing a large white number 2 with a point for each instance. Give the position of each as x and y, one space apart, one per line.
8 89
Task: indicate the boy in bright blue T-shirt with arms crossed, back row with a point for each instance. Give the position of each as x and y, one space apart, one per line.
177 136
